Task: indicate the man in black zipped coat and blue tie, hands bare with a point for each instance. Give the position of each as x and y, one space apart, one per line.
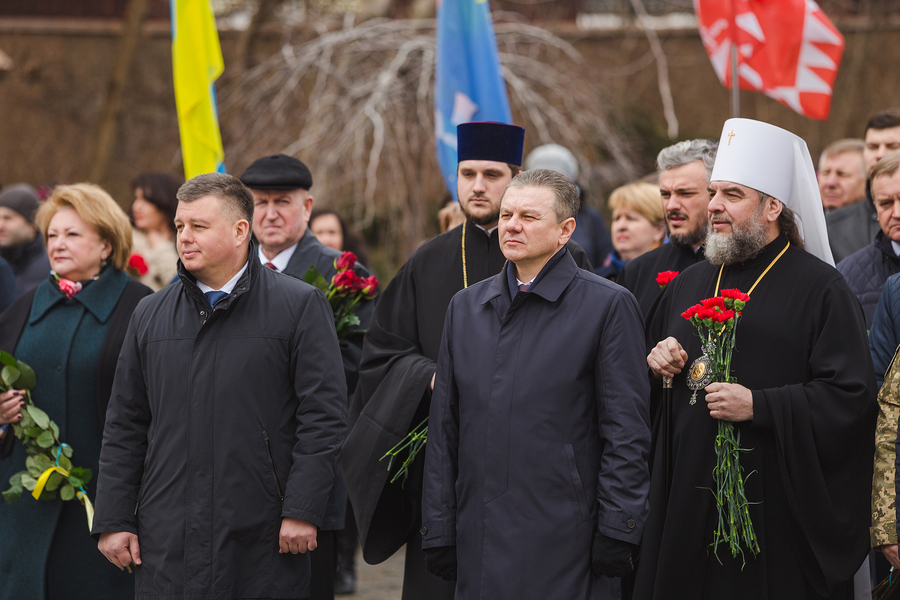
226 417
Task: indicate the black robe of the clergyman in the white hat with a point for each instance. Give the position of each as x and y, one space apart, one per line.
801 349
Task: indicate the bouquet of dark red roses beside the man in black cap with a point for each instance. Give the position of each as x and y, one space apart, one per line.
344 292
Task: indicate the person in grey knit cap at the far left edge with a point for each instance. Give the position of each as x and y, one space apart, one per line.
20 242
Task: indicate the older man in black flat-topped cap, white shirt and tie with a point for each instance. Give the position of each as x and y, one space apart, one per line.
280 186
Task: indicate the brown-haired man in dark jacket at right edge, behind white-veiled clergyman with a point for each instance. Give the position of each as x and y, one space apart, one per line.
867 270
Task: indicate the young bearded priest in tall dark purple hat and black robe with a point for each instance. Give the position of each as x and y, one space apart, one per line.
401 349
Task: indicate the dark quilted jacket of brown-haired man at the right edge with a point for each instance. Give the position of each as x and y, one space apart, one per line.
866 271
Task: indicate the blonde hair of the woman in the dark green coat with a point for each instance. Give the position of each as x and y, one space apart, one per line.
97 208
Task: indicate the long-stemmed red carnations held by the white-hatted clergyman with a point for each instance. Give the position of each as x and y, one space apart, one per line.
716 321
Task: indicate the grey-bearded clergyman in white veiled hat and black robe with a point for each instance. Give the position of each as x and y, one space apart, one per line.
803 403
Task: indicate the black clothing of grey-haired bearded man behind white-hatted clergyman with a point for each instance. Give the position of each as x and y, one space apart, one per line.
639 275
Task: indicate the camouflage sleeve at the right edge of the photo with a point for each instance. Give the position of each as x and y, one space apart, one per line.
883 531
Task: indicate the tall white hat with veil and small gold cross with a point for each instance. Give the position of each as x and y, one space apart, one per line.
775 162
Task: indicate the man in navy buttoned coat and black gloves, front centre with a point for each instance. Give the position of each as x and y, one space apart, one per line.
536 463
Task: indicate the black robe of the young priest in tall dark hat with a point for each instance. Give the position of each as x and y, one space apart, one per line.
398 361
